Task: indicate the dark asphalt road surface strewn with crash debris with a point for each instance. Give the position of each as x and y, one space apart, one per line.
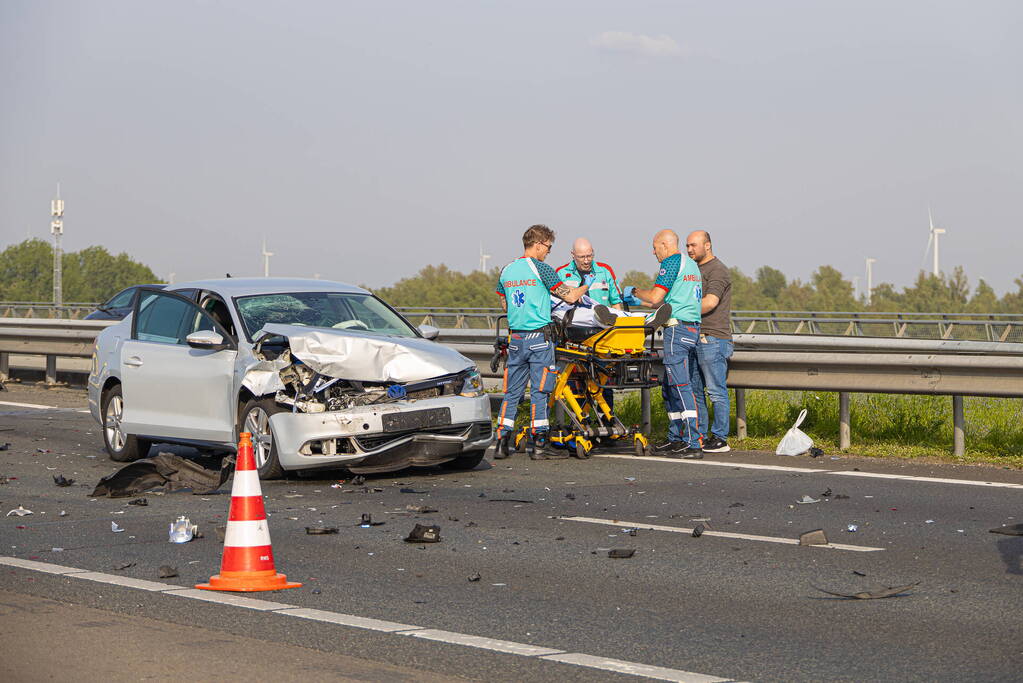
738 604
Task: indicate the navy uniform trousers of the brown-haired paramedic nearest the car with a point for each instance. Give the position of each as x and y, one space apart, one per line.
531 359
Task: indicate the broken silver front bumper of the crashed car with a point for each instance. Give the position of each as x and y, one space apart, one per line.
367 439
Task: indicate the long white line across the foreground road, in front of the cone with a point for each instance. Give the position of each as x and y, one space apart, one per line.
467 641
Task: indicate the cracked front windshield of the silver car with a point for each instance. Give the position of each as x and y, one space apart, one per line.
361 313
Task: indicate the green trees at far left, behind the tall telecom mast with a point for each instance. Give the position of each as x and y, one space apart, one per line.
93 275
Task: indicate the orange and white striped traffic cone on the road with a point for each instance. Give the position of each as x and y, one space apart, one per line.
248 561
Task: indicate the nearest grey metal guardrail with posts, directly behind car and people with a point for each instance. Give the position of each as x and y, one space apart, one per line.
842 365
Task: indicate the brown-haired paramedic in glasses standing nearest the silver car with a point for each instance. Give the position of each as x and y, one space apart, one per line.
525 288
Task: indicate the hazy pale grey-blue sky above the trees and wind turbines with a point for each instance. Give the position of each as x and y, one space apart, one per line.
366 141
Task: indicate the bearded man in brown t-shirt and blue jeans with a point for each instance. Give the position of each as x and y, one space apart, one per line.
715 348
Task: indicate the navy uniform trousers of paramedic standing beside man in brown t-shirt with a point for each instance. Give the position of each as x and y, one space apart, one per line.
677 388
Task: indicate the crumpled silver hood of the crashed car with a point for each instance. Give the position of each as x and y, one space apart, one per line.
357 356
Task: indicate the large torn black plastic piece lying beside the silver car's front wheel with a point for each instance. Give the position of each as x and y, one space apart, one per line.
164 470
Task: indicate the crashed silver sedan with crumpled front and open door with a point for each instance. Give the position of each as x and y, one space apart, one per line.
323 375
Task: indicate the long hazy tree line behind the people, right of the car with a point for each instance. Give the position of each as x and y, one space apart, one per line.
768 290
